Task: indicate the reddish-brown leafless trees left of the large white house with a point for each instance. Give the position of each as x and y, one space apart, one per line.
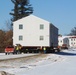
5 39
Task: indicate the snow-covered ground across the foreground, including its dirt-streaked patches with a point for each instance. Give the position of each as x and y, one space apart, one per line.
62 63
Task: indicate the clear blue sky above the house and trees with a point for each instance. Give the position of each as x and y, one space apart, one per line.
62 13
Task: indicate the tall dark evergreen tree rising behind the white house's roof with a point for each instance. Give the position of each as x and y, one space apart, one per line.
22 8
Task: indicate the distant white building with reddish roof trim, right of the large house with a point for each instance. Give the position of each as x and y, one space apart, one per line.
69 41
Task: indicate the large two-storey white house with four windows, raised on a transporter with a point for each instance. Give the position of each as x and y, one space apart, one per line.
34 31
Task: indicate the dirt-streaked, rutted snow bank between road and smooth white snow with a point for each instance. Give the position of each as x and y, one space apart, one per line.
21 68
